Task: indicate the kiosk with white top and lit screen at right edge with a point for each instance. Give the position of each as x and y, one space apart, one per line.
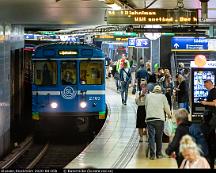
198 92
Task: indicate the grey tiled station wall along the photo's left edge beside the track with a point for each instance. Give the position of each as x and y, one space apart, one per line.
11 38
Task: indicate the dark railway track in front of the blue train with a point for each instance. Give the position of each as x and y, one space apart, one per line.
43 156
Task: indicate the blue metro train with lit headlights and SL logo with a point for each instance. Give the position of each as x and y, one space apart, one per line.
68 88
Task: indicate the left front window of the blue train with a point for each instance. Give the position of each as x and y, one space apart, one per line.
45 73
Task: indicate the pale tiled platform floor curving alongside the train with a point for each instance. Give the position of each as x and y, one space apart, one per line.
117 144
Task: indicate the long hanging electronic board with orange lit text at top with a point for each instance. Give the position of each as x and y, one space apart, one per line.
153 16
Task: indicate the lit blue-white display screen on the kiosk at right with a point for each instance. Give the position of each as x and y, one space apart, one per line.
200 92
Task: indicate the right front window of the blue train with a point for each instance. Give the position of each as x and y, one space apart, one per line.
91 72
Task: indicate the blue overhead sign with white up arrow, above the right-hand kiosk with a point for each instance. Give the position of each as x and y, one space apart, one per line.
189 43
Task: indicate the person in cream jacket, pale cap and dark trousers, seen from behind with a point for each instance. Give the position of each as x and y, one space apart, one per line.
156 104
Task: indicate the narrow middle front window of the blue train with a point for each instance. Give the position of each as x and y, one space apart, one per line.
68 73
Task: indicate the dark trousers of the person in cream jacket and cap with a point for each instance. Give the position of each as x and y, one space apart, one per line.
155 130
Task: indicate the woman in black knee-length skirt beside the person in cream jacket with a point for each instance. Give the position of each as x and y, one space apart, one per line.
141 113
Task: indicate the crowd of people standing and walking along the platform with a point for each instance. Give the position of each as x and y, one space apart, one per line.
192 145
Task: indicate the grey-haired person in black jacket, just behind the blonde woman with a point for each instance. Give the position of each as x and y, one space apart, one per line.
182 129
